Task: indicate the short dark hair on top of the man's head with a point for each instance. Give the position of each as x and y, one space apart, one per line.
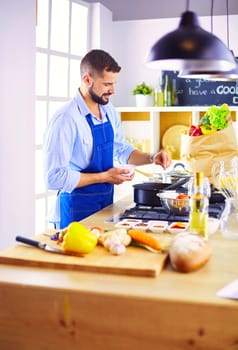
96 61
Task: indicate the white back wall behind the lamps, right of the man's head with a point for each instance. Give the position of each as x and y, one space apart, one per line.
133 39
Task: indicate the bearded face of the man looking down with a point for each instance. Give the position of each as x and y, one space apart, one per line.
101 88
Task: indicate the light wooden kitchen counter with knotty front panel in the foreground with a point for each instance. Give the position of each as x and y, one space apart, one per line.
59 309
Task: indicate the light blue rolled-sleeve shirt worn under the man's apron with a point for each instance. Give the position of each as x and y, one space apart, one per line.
68 143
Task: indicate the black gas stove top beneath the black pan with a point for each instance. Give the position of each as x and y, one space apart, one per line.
147 213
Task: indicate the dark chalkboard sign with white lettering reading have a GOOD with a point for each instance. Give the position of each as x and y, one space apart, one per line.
200 92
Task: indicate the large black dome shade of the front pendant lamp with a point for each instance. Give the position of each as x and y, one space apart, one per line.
190 47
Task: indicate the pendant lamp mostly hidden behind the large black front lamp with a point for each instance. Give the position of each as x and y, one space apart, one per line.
214 75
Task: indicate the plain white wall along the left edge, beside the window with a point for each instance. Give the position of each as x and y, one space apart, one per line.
17 97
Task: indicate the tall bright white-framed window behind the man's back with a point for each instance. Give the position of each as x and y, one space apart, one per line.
61 41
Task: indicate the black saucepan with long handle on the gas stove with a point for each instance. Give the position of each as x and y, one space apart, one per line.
146 193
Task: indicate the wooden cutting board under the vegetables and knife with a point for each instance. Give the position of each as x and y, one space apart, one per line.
135 261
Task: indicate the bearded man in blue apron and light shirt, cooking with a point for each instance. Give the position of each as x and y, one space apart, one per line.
82 140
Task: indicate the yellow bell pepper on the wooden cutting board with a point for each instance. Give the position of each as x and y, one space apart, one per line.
79 239
